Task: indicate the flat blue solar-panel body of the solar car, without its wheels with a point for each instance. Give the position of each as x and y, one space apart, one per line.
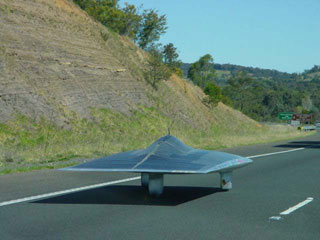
166 155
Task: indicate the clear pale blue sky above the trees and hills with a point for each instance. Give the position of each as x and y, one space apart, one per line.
273 34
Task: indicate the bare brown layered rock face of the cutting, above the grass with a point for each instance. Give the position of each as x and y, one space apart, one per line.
55 60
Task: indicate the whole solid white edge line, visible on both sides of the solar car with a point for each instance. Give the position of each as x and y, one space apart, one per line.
107 184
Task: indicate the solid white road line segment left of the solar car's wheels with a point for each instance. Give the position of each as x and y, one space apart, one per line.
66 191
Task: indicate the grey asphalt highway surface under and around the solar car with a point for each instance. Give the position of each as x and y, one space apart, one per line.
192 206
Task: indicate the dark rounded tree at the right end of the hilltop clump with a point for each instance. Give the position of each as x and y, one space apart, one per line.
152 27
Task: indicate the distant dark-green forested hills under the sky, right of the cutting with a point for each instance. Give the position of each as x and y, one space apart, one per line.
268 91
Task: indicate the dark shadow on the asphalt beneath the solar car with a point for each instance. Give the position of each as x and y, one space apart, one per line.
132 195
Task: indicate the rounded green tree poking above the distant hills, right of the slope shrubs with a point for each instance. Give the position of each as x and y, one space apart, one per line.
202 72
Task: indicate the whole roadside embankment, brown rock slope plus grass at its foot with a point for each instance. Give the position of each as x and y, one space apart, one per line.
70 88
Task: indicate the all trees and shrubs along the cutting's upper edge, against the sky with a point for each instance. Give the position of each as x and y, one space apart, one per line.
144 27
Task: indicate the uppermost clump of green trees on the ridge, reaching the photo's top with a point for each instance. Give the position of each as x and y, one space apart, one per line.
145 28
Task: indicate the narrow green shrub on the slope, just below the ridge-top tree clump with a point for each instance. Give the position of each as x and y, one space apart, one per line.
157 70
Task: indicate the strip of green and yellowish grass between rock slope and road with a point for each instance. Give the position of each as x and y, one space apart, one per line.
26 144
